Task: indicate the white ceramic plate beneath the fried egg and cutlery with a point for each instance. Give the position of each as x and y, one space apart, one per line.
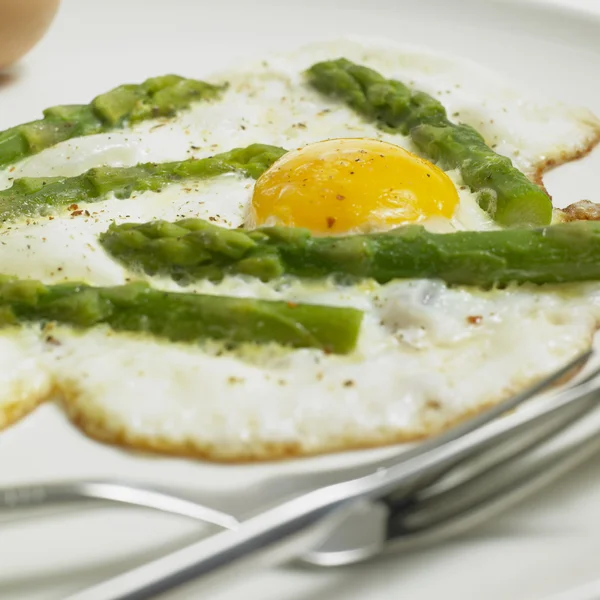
546 546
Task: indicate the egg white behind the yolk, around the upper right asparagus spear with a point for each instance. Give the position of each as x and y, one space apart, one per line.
269 101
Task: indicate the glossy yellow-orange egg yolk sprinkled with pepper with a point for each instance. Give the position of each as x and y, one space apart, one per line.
345 185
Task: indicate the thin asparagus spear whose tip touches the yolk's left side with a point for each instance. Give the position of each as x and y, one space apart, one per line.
31 196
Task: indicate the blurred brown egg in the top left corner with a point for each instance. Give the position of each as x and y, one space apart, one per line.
22 24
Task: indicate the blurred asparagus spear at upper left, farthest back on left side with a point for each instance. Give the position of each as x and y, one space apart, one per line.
156 97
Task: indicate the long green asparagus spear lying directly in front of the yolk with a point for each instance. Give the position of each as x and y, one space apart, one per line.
191 249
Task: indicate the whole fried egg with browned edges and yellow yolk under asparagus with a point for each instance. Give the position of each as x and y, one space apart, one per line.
428 355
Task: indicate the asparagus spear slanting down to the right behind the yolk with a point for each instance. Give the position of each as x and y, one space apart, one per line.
504 192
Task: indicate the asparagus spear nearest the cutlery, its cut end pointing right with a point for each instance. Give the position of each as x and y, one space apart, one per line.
181 317
